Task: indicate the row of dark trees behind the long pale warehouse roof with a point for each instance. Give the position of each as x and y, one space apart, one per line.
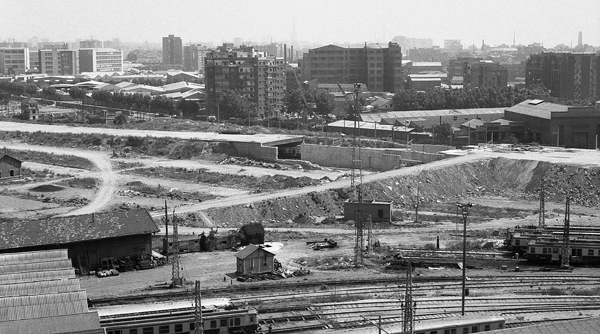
493 97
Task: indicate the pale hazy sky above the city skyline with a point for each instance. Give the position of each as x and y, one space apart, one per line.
318 21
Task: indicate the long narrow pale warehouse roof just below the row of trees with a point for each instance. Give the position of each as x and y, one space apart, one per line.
416 114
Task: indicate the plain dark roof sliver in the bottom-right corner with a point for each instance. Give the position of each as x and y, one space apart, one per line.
576 326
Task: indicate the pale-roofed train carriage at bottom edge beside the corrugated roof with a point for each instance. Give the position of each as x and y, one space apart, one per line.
219 316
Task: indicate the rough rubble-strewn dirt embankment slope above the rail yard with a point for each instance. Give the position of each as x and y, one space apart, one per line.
492 177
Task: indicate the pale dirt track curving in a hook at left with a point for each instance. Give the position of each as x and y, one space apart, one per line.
108 179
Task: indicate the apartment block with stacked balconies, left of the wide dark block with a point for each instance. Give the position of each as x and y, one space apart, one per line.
260 79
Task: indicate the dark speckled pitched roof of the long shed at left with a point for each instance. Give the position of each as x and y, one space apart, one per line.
64 230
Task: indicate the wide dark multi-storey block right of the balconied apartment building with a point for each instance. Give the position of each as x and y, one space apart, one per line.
377 66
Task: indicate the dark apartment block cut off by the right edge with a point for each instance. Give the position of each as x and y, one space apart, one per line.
571 76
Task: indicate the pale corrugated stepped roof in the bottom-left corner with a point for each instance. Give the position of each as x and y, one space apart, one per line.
43 304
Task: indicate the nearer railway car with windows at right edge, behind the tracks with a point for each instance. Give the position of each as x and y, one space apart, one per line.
582 251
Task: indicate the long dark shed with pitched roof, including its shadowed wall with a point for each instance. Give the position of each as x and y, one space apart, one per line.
88 238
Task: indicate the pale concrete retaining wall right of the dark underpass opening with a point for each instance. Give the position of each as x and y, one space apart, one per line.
372 158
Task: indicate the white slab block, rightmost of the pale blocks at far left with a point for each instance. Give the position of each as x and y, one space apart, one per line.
100 60
